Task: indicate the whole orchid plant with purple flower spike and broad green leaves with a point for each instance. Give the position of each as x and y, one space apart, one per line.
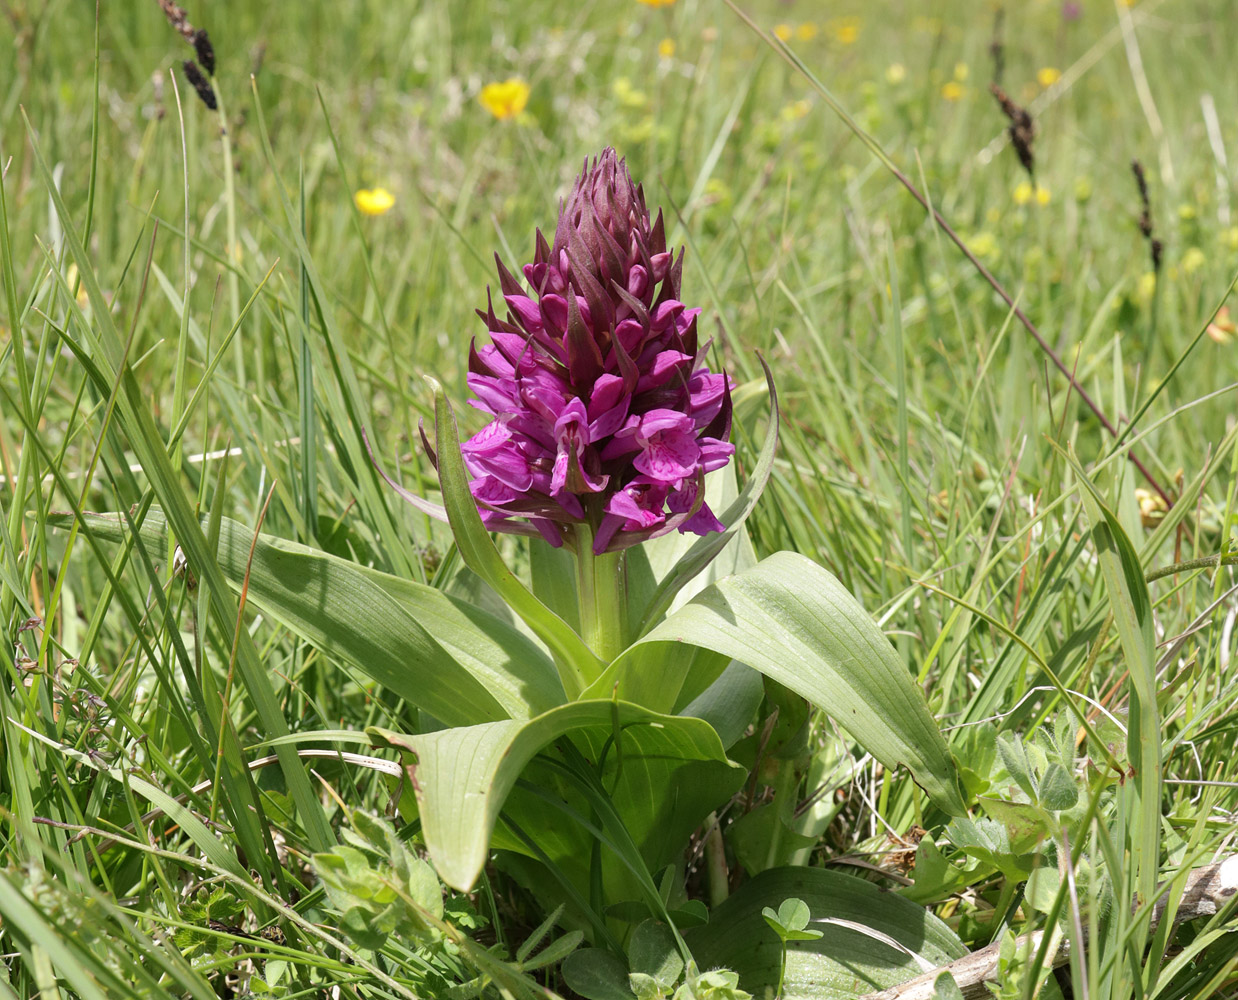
576 720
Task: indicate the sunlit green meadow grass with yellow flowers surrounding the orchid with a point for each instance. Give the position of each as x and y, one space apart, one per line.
928 444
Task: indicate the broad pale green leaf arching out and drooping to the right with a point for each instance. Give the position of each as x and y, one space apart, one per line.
795 623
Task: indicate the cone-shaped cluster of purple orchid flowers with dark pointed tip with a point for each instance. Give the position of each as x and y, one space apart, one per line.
605 412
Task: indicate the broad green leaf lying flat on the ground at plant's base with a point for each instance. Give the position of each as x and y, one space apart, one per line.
845 962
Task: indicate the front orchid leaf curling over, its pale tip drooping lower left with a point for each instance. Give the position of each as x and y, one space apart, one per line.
465 777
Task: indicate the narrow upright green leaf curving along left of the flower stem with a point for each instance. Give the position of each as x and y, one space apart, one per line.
578 664
